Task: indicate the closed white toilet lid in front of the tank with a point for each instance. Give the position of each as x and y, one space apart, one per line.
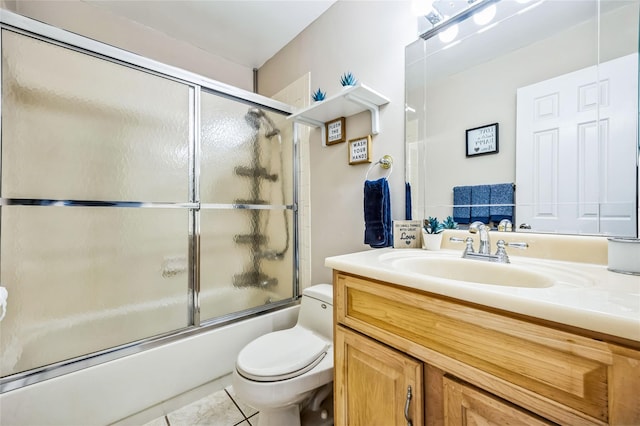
281 355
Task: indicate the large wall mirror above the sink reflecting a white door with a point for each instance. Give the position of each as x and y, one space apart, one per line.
560 80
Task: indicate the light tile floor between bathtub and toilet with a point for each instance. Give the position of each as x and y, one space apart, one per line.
218 409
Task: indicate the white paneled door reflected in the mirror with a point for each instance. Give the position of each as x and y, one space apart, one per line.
574 148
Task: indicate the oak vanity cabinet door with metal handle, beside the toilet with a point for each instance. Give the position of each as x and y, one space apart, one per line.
374 384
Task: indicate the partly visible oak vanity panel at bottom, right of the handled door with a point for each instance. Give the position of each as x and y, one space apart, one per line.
467 405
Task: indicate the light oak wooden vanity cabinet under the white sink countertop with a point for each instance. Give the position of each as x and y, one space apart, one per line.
467 364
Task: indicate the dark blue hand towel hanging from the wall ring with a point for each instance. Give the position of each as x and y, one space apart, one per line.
378 231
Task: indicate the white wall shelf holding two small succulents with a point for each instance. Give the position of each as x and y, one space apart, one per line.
349 101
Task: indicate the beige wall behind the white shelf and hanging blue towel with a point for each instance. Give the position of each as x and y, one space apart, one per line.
367 38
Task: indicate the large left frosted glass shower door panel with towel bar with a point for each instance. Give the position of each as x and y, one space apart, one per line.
95 214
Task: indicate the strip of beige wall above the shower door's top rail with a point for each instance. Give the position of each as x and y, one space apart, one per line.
91 21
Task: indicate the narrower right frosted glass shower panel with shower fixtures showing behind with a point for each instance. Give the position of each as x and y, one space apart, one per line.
246 217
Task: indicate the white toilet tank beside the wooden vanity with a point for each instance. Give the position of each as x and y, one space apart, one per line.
316 310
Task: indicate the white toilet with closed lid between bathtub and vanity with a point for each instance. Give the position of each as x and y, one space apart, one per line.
281 372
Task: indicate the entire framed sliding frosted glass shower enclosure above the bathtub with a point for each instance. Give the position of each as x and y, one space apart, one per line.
139 203
